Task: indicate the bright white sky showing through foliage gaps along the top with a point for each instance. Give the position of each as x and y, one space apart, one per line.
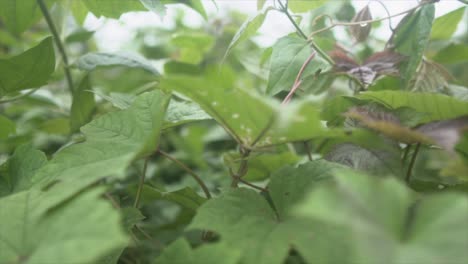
112 35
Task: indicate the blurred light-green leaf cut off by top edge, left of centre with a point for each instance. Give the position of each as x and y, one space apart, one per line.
113 8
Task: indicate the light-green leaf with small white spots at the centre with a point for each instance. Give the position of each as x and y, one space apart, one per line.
250 118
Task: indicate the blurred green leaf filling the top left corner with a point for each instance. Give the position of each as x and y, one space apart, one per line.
18 16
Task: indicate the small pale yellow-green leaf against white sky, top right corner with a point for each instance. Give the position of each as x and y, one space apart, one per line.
446 25
